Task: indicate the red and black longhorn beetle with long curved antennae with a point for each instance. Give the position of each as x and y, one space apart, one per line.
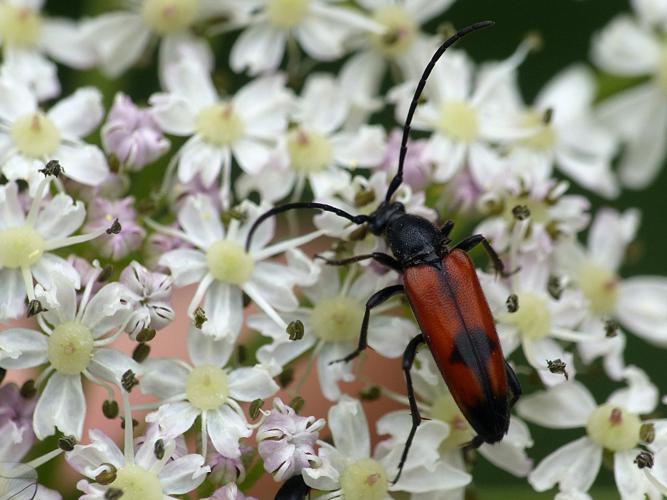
445 295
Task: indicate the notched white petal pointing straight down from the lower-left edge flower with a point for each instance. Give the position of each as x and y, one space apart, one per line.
62 405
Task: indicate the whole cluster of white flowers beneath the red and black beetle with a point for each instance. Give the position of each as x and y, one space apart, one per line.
107 216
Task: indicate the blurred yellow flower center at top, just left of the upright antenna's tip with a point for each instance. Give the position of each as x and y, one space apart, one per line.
400 30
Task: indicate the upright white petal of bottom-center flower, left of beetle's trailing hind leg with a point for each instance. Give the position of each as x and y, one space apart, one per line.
349 428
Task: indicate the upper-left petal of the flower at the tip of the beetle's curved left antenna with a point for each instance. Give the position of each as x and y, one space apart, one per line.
200 220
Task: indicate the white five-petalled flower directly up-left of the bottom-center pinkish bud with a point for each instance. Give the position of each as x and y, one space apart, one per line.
207 390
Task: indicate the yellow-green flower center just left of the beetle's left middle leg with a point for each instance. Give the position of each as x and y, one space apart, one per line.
337 319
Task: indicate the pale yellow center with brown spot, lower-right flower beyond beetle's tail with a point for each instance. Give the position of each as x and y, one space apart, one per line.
613 428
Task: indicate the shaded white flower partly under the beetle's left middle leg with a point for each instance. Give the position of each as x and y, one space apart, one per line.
332 323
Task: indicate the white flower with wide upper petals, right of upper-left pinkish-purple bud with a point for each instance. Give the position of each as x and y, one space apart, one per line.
244 126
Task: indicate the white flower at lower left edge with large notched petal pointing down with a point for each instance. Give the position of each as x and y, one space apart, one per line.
72 343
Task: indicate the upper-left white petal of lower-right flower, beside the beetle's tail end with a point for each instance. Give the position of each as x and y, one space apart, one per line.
563 406
